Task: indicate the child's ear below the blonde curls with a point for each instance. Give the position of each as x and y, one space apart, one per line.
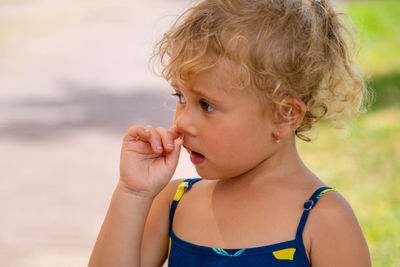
289 116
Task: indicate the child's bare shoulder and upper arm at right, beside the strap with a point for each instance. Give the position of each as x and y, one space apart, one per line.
335 235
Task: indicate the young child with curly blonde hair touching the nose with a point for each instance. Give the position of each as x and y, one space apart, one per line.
249 76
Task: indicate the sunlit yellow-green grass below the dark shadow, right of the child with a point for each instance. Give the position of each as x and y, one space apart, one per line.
362 163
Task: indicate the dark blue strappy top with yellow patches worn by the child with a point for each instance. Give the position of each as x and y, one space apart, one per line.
289 253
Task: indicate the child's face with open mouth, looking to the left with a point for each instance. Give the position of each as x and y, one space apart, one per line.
227 131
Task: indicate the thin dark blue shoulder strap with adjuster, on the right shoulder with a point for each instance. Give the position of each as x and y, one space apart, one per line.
308 205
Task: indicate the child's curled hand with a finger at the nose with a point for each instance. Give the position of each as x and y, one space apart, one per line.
148 159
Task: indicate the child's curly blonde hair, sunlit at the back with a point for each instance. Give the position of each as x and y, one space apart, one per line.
285 48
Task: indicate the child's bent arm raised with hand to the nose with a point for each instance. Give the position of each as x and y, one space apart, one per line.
145 170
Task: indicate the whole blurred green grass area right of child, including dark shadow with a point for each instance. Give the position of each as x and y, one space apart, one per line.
363 162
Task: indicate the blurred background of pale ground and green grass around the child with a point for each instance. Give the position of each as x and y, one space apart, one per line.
74 75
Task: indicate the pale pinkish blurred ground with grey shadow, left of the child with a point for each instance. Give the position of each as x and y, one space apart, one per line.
73 76
